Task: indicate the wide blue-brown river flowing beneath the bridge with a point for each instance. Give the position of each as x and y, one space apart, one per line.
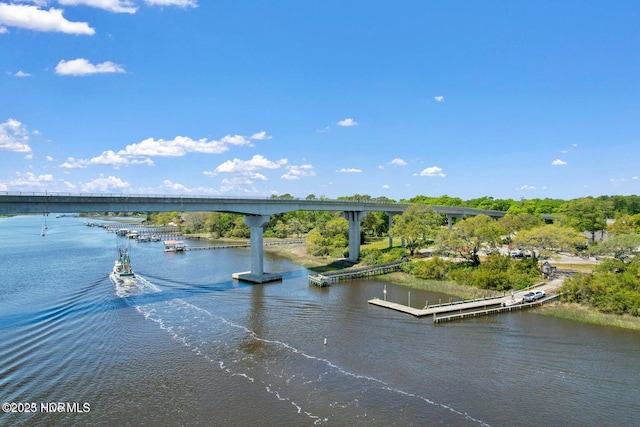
189 346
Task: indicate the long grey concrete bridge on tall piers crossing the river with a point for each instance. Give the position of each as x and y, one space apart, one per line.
256 213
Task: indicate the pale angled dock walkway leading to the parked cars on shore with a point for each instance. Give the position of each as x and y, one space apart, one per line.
479 307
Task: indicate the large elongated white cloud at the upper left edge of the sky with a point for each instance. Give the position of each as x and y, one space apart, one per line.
33 18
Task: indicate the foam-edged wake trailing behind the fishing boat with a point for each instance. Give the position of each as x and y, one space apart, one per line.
312 385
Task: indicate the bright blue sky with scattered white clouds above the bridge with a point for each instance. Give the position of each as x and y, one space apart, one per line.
507 99
